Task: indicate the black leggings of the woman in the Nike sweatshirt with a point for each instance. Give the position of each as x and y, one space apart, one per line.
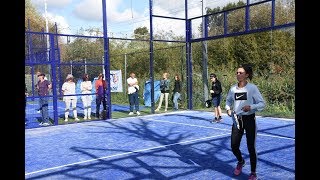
247 124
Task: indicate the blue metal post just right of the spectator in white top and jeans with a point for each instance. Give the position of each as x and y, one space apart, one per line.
151 58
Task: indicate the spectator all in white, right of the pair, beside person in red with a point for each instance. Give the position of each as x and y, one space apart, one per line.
86 87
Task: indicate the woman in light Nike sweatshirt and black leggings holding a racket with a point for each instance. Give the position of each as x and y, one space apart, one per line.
243 100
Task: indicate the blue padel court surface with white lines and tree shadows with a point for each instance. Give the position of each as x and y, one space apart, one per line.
177 145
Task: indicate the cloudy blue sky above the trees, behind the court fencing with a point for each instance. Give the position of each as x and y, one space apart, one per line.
123 16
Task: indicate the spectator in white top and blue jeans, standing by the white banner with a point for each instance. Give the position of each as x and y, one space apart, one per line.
133 89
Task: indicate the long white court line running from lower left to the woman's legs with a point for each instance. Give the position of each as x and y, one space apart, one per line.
127 153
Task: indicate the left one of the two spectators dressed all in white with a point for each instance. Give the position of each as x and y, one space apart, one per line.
69 88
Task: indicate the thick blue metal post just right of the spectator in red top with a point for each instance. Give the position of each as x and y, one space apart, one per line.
106 57
